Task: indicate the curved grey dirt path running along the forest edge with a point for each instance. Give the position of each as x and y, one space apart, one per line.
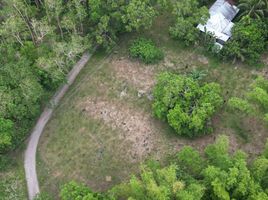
30 154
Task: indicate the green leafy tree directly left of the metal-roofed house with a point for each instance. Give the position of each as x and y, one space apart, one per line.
188 13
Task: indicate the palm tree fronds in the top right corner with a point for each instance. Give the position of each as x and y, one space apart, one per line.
254 8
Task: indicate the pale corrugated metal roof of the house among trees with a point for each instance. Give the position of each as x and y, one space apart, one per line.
220 22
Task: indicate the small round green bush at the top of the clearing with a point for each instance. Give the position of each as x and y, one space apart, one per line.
146 51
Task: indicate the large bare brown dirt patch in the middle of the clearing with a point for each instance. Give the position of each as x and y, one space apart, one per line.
136 127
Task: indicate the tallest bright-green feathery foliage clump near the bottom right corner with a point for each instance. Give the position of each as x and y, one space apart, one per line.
228 177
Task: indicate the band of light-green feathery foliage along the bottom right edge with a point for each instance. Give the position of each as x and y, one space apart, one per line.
190 176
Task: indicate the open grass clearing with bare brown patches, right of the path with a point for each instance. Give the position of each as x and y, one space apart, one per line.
104 128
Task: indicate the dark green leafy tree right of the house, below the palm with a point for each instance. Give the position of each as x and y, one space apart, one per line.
248 41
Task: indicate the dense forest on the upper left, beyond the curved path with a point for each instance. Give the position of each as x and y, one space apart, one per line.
42 39
